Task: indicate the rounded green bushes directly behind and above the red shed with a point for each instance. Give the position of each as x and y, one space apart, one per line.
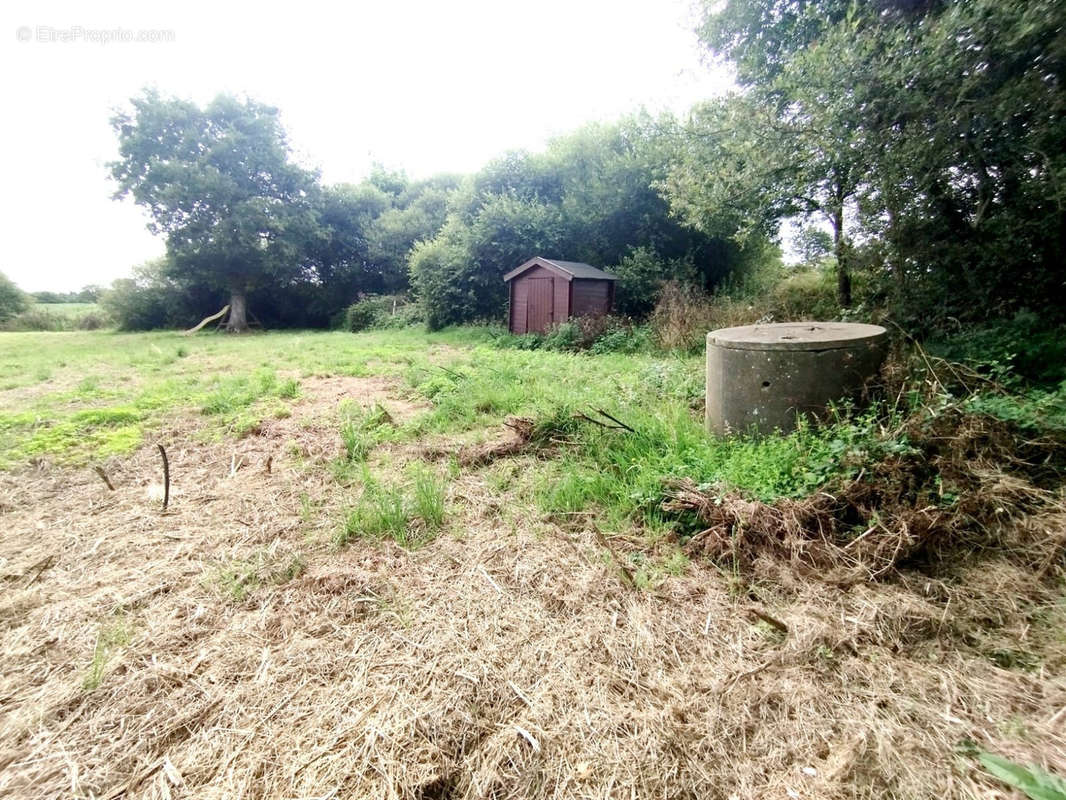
592 197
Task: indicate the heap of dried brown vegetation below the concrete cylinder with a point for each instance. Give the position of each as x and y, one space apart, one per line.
967 483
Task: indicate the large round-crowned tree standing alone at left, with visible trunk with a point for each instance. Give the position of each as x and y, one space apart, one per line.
219 182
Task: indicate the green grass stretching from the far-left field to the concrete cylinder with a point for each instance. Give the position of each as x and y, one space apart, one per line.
75 397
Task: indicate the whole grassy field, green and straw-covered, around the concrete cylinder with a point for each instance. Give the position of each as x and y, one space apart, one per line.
415 566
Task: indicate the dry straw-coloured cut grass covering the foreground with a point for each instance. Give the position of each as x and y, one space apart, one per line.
229 649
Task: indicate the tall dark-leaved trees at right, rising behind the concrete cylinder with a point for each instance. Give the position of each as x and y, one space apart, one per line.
931 135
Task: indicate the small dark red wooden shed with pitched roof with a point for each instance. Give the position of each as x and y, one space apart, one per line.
545 292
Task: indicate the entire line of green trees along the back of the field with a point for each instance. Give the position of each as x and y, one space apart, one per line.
927 136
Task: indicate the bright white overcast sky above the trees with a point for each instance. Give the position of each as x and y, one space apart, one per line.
424 87
